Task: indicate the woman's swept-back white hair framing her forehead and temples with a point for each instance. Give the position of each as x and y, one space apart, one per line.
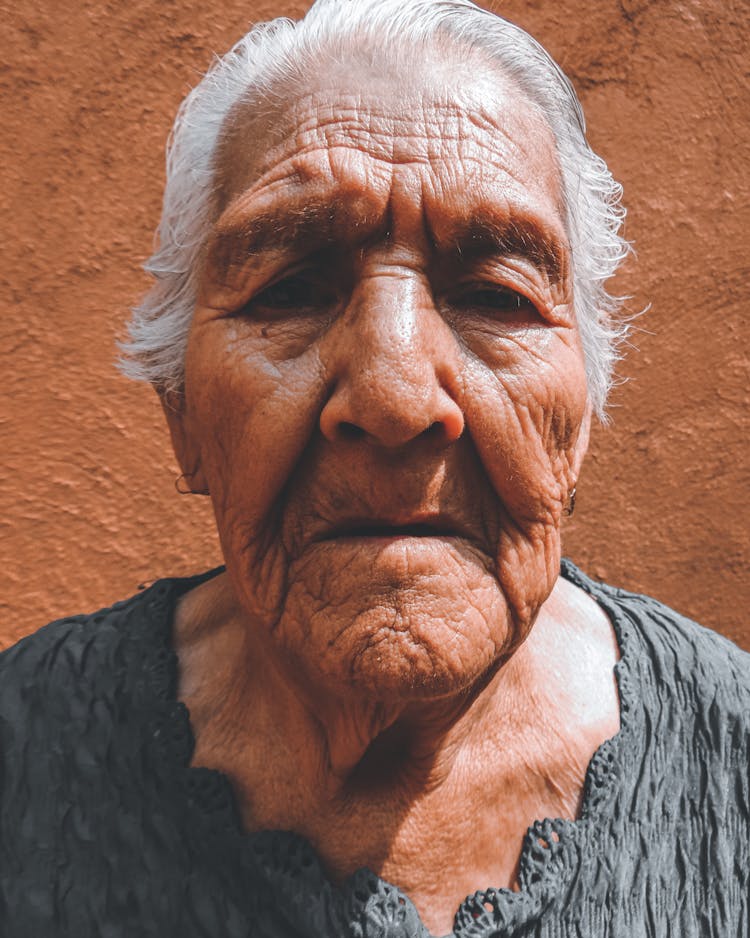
283 50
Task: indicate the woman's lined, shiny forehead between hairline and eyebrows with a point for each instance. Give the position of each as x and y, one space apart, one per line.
441 140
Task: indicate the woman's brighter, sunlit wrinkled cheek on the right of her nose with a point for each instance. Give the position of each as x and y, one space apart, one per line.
527 405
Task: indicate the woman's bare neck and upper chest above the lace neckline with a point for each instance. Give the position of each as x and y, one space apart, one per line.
404 788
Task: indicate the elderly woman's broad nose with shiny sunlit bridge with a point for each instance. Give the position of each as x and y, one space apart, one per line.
394 367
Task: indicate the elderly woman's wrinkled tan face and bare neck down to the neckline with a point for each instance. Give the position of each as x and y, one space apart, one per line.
385 396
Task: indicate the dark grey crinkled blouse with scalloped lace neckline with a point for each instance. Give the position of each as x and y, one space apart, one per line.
106 833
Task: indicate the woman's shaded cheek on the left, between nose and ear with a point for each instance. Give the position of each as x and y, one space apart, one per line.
253 413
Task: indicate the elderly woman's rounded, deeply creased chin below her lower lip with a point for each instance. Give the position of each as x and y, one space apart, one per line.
434 638
